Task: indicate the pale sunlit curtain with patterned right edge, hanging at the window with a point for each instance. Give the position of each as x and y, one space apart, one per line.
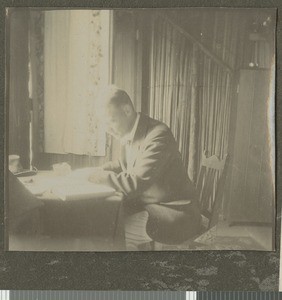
76 65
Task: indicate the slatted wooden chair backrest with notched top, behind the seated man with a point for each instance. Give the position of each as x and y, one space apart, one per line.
210 185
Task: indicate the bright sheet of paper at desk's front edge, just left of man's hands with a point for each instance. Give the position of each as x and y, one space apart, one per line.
80 191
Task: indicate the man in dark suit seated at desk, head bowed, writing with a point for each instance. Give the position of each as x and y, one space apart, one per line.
149 173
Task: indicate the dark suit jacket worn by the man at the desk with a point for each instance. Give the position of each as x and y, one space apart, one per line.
156 183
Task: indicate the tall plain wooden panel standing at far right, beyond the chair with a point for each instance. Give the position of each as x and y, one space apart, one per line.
251 197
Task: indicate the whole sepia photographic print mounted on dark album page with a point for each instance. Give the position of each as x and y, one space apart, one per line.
140 129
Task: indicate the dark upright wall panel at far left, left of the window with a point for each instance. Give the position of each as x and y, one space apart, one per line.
18 97
